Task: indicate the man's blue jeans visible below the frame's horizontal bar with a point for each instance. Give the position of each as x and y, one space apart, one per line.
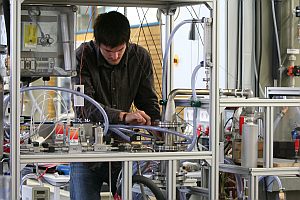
86 181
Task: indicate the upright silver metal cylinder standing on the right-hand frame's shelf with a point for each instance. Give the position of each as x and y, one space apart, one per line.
249 145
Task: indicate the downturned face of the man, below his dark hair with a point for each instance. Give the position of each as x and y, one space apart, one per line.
113 55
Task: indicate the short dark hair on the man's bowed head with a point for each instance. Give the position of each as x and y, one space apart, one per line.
111 29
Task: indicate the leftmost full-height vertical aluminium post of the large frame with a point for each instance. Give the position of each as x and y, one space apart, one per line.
15 29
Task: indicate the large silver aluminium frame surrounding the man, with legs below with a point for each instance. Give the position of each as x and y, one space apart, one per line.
15 51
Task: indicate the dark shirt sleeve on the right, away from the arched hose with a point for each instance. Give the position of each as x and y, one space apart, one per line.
146 98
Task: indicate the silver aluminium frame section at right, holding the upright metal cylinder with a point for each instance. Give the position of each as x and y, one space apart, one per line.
253 173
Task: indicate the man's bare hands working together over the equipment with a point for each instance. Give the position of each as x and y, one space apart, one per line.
138 118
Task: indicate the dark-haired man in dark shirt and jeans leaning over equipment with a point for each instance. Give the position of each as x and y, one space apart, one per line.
116 74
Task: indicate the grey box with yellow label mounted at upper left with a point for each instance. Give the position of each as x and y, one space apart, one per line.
48 41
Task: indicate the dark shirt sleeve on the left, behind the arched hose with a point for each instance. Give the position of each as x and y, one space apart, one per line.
89 111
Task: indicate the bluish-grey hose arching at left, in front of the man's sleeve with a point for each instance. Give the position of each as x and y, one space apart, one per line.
95 103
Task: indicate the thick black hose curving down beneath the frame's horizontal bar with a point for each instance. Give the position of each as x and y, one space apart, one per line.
139 179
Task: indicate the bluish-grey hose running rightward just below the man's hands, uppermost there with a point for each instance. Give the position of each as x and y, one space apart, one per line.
154 128
